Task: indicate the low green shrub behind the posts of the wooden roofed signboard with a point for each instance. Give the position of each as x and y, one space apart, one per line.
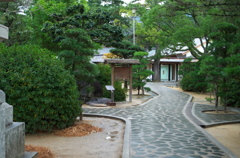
119 93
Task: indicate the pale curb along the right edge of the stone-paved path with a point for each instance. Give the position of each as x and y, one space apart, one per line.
210 137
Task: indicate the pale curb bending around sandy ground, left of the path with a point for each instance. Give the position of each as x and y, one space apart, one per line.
127 132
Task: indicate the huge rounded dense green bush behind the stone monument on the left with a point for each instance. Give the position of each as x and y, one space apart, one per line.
44 95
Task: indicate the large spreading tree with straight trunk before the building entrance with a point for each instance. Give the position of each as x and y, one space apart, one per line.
181 23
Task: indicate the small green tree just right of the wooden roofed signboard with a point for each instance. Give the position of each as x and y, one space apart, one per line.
140 73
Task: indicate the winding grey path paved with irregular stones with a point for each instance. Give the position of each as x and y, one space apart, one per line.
160 130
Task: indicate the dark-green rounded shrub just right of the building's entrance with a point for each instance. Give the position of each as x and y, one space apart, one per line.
192 80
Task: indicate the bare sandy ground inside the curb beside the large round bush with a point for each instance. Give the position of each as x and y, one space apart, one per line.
104 144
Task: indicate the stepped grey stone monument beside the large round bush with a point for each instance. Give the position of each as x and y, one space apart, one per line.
12 134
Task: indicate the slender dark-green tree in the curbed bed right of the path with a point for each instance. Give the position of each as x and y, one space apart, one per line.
217 66
